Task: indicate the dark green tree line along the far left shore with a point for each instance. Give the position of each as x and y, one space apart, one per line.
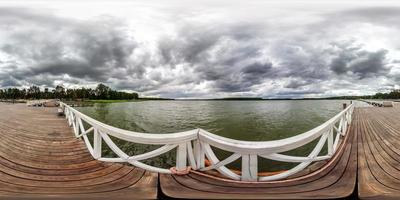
34 92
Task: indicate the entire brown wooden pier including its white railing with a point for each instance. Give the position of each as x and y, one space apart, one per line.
40 158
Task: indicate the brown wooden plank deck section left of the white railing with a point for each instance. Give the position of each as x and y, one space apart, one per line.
41 159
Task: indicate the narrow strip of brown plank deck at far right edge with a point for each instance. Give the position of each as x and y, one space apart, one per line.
379 153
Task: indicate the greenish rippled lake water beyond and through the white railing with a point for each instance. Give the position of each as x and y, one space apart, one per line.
242 120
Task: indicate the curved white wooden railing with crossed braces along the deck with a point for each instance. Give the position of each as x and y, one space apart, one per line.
195 146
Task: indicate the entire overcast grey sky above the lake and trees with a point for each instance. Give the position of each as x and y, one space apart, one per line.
203 49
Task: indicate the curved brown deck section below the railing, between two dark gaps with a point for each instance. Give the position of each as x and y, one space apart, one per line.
335 179
